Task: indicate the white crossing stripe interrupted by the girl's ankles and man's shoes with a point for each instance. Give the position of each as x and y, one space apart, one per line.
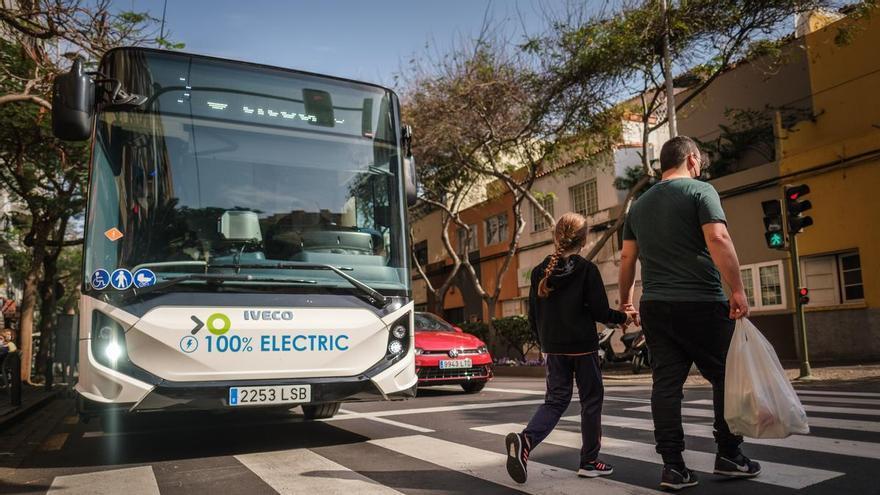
786 475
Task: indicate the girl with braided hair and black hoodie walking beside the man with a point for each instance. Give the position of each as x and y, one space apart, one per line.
566 299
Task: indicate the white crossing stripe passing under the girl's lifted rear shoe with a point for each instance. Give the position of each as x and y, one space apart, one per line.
490 466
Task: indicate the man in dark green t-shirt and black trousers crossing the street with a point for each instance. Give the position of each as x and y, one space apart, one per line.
678 231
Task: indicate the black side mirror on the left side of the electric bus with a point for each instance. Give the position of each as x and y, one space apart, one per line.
73 104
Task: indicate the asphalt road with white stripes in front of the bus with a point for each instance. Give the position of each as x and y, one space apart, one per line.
442 442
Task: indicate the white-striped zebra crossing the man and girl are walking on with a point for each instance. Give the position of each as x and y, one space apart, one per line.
841 452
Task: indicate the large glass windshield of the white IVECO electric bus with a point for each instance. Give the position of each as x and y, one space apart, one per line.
232 164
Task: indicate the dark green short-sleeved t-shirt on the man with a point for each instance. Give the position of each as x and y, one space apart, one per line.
666 222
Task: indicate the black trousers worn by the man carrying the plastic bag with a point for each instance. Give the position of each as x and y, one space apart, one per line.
680 334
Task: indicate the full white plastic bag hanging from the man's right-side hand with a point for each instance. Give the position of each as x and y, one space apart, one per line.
759 401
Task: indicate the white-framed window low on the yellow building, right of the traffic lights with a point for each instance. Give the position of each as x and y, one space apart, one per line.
833 279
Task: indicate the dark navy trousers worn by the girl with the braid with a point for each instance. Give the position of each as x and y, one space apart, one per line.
561 369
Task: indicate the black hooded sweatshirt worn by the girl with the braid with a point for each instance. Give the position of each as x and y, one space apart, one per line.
565 321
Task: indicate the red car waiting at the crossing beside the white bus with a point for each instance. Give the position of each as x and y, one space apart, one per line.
445 355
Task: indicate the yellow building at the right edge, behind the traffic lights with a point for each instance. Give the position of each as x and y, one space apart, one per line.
837 154
